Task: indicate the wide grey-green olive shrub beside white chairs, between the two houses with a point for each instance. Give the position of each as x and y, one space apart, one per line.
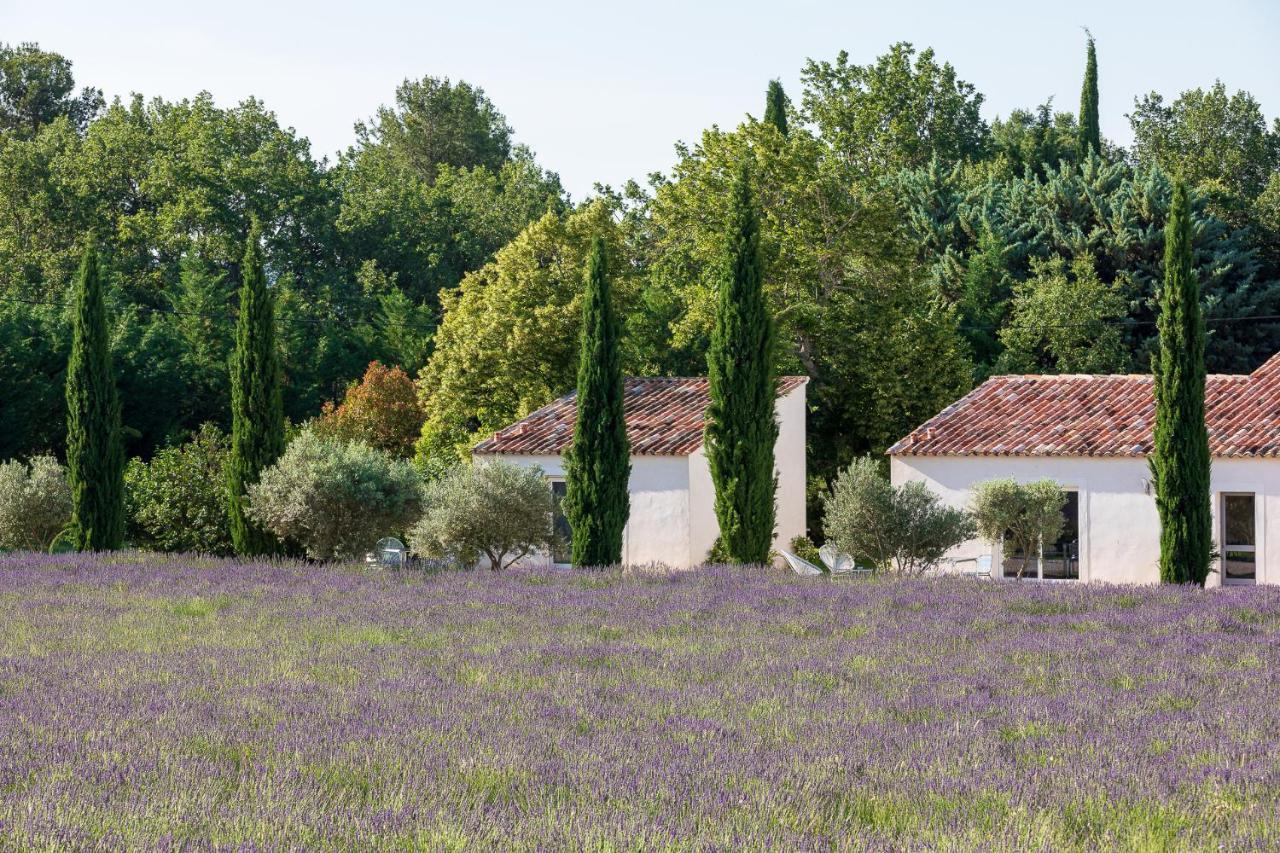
907 530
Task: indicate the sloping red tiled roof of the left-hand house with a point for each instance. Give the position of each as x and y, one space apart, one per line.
665 418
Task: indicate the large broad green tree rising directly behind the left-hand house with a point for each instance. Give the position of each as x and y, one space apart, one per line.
854 311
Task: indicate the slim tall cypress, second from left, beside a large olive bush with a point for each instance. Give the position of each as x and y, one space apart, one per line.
258 414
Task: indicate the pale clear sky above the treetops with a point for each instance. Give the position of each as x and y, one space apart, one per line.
602 90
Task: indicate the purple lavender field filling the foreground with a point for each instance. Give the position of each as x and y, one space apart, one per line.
177 703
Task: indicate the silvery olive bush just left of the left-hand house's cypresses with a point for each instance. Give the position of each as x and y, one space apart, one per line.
493 508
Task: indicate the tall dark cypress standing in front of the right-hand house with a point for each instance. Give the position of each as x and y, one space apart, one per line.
1181 458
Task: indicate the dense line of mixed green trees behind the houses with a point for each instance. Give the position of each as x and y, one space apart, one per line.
908 248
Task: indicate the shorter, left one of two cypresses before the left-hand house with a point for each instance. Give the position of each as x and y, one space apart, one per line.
597 503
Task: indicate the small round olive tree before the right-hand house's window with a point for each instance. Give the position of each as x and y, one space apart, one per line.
1023 516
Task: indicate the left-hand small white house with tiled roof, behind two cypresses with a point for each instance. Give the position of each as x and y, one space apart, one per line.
673 517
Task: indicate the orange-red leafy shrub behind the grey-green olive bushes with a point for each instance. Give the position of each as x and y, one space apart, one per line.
382 410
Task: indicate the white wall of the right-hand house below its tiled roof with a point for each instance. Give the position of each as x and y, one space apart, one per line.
1119 527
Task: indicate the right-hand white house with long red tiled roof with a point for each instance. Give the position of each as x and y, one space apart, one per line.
1092 435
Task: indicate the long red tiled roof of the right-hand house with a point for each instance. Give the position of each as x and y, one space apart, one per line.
1096 416
